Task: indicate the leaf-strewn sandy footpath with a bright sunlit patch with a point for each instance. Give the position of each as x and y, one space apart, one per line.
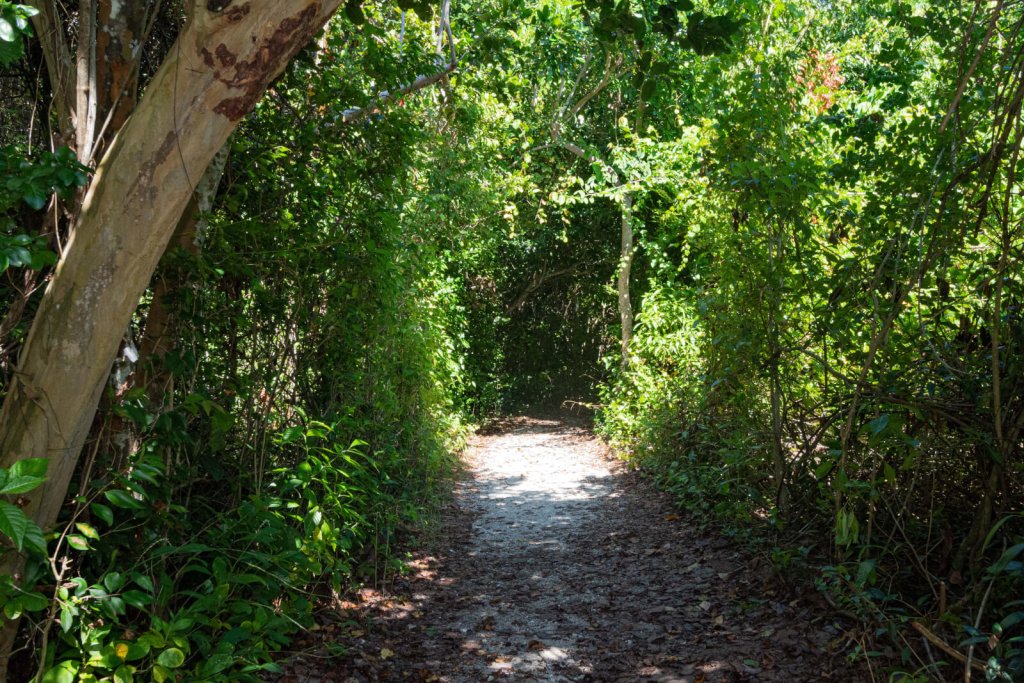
558 564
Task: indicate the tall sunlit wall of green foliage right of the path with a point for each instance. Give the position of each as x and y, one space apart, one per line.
831 336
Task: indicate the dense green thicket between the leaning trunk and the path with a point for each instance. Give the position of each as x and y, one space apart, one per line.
296 399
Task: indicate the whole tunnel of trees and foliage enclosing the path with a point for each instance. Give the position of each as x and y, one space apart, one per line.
776 246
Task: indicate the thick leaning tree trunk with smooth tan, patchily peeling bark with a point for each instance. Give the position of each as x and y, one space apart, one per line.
214 76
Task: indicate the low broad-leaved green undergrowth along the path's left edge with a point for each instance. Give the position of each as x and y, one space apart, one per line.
140 587
